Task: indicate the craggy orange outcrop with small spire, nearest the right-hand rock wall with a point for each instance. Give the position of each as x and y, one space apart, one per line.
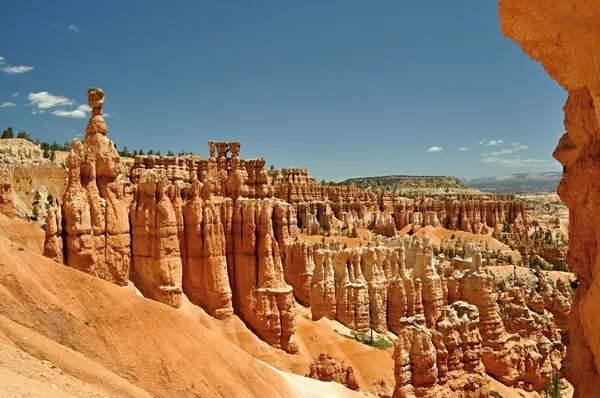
529 357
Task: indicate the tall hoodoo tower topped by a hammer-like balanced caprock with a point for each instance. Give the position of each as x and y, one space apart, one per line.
96 203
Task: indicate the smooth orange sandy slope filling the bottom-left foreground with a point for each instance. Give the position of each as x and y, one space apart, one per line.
119 343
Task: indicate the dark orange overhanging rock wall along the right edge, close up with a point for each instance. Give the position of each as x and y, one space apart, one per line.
564 36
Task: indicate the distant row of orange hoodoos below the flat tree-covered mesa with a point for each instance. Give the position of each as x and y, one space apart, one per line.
384 212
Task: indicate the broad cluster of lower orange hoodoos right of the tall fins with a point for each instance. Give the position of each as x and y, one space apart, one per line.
398 279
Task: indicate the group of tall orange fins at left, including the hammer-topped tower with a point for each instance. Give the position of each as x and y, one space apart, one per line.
207 228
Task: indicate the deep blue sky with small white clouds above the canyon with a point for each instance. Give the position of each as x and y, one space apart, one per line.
343 88
